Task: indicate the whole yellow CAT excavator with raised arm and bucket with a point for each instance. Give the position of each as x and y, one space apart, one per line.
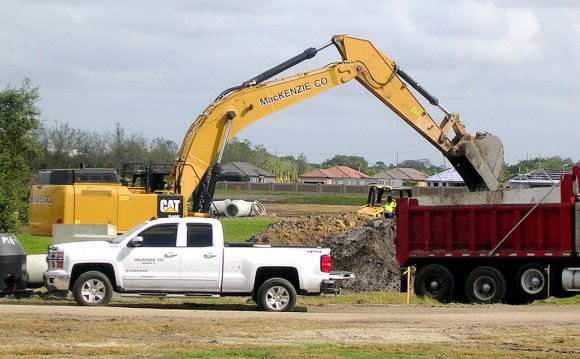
478 159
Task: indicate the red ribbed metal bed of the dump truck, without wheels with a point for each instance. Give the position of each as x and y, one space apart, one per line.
475 230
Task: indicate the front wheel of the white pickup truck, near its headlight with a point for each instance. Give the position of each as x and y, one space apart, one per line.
92 289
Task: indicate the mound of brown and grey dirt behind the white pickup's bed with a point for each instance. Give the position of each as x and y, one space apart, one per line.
358 245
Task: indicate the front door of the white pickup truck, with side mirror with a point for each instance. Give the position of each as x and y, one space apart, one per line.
155 264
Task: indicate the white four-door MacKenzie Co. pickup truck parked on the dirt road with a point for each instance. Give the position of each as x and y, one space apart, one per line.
186 257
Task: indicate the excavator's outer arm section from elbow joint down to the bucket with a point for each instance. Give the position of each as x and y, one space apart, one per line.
479 160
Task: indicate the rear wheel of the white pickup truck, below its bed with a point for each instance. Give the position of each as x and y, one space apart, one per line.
277 295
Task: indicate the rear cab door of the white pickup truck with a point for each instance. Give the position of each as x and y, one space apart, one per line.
200 269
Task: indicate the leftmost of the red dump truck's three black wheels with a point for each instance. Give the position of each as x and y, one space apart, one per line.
434 281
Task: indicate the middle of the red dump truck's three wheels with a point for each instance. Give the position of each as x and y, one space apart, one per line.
485 285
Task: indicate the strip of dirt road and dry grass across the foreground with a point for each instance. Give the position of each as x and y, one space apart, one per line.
497 331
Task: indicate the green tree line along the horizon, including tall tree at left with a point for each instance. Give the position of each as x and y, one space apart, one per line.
26 146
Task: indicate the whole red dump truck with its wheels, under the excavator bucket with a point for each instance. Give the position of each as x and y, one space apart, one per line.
512 246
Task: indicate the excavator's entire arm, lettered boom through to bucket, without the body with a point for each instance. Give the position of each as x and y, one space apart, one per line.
477 159
